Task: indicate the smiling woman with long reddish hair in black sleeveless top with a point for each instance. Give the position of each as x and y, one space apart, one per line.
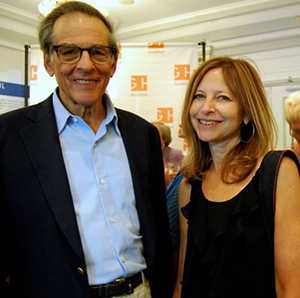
227 247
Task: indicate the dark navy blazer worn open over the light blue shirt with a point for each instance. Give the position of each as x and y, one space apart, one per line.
41 248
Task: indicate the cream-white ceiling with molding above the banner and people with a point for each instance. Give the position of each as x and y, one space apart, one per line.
230 26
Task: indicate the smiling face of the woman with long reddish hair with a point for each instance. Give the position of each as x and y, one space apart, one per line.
215 113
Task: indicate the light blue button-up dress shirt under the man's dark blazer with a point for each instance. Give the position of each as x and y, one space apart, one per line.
103 196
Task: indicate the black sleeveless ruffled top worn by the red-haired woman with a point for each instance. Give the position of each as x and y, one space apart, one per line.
233 258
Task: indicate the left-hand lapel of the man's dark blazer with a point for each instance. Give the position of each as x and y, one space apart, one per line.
42 143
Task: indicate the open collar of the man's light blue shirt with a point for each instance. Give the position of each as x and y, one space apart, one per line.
62 114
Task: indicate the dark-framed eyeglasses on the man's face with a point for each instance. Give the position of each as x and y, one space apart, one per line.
72 54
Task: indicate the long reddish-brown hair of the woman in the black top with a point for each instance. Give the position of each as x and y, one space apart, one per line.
245 84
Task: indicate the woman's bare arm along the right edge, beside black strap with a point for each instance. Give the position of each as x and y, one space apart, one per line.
287 231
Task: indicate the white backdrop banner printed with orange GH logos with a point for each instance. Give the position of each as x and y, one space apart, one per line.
150 80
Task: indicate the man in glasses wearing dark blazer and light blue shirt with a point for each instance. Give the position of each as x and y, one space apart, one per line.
82 184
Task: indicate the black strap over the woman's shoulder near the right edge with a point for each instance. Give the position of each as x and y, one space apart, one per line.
268 174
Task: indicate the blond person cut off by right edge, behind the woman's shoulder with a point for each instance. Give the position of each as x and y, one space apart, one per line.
292 115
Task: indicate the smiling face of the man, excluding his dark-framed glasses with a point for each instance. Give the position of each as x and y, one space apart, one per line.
81 84
